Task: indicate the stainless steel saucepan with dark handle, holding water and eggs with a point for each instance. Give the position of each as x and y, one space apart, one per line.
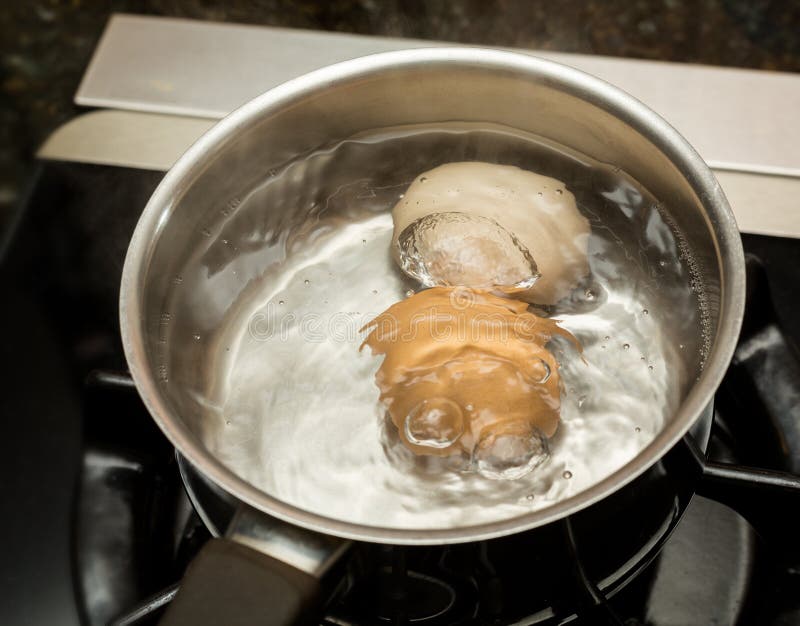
274 554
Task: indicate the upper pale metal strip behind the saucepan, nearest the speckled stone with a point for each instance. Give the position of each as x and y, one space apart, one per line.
735 118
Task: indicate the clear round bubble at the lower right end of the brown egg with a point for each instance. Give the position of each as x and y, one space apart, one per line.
511 454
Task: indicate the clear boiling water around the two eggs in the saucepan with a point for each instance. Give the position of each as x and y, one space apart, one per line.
289 403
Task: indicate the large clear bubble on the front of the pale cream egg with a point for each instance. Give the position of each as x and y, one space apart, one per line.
453 248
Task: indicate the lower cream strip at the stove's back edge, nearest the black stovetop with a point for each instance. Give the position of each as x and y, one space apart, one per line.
764 204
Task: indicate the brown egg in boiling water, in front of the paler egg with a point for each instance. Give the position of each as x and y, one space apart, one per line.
464 368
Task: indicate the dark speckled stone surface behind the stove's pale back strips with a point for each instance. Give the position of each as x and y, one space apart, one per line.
46 44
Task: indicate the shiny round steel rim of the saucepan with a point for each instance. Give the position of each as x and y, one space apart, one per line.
685 157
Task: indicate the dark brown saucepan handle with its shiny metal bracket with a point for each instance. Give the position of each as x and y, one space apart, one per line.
264 571
